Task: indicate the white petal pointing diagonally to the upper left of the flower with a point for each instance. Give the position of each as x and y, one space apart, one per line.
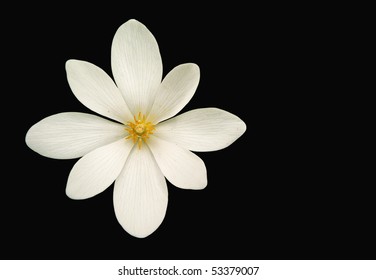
96 90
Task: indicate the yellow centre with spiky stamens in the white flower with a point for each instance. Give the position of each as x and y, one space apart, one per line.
139 130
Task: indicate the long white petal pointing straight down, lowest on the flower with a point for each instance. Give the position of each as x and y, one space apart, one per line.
140 194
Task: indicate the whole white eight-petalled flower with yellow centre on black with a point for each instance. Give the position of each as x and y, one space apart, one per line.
145 144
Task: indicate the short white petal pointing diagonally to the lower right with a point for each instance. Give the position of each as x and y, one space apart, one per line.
181 167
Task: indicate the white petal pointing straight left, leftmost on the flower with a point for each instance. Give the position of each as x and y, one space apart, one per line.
72 135
